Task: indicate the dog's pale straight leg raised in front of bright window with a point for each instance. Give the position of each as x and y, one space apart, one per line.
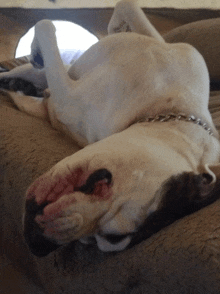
66 109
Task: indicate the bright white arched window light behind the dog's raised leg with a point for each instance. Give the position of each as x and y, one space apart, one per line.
72 41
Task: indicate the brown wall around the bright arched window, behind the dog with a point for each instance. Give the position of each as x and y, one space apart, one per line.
15 22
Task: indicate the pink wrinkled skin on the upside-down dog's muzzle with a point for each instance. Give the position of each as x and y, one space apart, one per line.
59 192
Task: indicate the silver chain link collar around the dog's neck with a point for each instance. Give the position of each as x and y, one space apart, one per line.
178 117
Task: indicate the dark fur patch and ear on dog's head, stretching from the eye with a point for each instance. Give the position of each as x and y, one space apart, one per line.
181 195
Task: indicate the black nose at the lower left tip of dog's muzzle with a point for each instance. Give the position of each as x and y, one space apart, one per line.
38 244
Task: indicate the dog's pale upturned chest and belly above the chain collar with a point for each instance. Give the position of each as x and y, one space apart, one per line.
111 90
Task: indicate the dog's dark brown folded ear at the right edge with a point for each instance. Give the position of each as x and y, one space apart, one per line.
189 192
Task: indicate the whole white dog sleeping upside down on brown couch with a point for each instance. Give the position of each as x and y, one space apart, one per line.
113 185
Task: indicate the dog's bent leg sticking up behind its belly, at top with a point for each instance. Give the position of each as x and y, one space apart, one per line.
128 17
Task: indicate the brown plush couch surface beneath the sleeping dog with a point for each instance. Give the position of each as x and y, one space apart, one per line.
182 258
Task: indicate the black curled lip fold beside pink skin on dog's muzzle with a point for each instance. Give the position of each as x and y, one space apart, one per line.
93 179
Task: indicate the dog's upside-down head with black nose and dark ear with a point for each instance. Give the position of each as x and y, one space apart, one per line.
114 192
